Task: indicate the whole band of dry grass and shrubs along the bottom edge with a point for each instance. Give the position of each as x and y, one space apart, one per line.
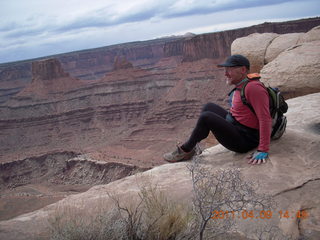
153 215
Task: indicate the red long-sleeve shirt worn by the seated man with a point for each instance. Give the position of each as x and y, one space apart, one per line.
258 97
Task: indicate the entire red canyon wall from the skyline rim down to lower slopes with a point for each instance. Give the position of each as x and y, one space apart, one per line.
128 102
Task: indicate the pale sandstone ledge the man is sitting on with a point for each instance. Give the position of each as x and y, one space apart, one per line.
291 176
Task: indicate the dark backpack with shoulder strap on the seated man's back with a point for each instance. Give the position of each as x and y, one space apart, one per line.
277 107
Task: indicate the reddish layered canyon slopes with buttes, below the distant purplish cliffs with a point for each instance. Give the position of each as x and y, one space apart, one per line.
118 114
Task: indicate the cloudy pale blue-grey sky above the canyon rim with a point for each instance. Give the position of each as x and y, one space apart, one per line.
35 28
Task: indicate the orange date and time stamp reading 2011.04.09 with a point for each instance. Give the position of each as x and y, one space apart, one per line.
259 215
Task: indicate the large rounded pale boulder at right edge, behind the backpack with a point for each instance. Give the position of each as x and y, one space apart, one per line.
296 70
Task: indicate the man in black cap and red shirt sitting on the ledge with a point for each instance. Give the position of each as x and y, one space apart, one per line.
239 130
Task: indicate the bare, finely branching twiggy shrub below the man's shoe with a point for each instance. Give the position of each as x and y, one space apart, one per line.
221 190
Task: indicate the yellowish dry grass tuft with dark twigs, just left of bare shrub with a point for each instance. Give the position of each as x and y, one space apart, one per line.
154 216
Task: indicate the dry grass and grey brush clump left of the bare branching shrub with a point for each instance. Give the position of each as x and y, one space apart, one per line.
153 216
